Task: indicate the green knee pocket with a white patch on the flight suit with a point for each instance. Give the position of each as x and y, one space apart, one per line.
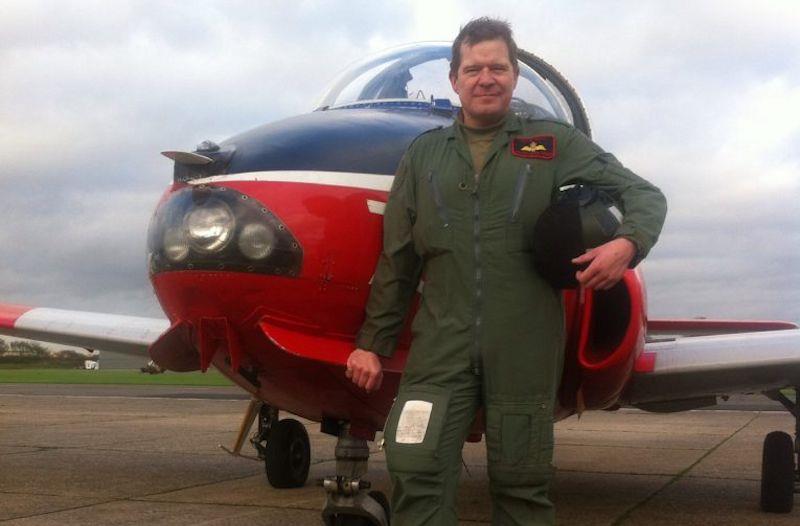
413 430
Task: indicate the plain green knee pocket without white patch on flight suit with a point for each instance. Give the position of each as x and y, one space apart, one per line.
519 442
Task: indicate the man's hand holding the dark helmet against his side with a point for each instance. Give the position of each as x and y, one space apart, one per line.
607 264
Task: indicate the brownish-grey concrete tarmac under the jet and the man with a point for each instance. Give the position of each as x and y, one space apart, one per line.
118 455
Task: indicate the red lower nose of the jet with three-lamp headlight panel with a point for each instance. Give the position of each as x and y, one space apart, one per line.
276 311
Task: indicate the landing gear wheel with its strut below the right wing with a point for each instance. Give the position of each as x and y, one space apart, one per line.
780 467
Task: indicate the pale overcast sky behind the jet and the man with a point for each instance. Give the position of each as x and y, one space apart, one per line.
702 98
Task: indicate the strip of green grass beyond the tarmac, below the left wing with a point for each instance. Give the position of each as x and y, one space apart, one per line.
120 377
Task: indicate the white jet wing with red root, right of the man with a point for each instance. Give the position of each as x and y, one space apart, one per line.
707 366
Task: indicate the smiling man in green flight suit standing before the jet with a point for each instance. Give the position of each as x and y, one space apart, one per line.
489 330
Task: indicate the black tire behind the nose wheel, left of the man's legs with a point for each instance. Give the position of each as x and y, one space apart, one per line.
288 454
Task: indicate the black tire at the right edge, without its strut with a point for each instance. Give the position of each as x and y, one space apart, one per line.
777 473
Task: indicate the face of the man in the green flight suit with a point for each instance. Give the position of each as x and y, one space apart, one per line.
484 82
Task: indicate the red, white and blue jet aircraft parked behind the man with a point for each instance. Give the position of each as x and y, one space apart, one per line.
261 253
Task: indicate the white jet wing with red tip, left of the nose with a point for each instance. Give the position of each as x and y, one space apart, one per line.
91 330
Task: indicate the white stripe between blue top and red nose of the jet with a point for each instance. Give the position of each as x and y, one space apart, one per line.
348 179
